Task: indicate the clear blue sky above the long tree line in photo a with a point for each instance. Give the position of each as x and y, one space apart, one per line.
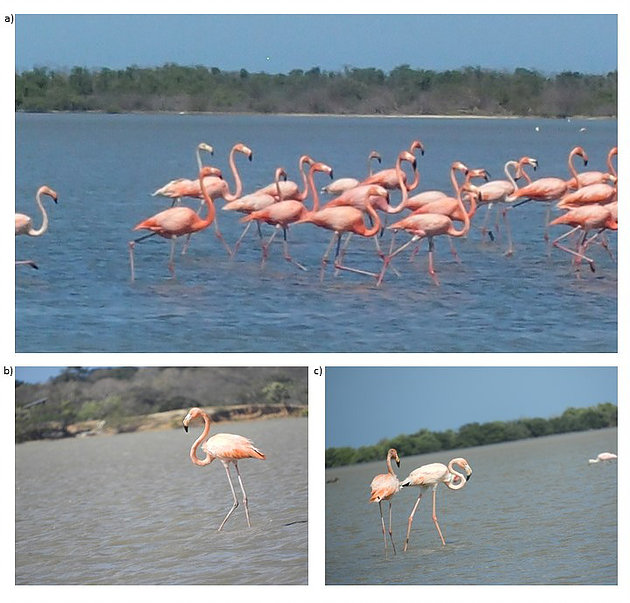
279 43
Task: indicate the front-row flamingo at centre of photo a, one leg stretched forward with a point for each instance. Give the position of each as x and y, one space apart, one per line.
343 219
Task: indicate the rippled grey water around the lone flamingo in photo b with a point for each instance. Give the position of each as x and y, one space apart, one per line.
133 509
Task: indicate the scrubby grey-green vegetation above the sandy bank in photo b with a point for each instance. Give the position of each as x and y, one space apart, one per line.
115 394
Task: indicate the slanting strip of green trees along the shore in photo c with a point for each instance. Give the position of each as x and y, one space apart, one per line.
478 434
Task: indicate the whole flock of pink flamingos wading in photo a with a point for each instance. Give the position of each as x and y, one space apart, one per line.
588 200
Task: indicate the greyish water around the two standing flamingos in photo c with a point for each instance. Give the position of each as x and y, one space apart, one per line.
533 512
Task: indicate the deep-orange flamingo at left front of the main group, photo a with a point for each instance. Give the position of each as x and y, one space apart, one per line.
175 222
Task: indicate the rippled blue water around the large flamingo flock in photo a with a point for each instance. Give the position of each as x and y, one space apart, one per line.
105 167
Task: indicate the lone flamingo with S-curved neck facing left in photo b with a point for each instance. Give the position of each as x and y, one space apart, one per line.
228 448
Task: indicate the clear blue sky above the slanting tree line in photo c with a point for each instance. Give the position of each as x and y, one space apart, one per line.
366 404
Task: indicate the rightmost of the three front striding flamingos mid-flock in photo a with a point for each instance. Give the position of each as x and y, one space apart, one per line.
429 225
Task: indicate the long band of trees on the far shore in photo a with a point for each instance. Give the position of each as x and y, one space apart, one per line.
404 90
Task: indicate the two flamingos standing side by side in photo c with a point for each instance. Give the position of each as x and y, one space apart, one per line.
385 485
